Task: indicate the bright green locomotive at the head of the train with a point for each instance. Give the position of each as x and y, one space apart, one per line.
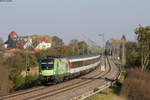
53 70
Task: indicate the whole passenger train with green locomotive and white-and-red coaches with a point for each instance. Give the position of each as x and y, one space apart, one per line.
57 69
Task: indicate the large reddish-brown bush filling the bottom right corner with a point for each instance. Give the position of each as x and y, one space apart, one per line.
136 85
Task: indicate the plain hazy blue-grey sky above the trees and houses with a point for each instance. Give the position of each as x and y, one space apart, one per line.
74 19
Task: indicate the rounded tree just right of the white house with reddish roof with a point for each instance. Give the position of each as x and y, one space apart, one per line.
57 42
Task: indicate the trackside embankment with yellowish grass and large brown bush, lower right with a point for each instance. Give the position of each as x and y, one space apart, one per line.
131 85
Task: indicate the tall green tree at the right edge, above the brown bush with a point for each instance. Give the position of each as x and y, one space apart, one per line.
143 37
